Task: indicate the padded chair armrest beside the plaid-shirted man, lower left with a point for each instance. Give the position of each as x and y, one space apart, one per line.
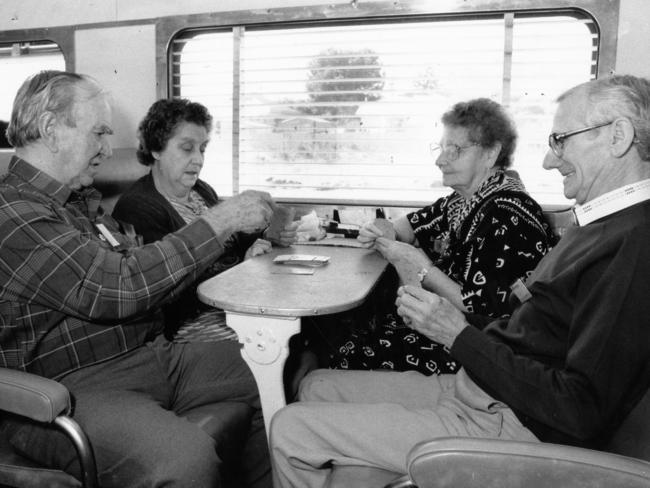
32 396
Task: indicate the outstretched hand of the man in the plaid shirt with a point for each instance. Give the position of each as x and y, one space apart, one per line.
248 212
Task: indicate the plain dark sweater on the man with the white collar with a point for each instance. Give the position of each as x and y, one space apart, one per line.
573 360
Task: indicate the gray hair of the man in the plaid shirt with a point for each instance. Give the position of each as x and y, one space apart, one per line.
47 91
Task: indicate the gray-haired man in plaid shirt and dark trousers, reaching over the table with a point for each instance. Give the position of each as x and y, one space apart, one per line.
80 304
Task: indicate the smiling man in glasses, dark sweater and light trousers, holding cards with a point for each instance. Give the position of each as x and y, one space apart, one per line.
567 366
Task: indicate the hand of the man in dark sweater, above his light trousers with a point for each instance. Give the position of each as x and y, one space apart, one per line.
429 314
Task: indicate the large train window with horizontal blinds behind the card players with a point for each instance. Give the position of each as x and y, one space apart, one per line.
346 112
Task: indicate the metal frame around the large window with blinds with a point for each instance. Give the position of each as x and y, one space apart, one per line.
604 16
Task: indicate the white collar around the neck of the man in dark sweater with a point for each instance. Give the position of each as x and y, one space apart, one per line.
612 202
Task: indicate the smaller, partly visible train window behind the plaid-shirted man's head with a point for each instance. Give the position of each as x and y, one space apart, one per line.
18 60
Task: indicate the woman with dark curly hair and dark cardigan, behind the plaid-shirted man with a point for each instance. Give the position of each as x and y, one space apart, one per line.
173 137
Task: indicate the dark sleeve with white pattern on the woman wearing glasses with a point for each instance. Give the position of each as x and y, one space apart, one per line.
509 239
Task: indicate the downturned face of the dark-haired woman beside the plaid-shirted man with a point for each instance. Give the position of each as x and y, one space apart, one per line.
179 164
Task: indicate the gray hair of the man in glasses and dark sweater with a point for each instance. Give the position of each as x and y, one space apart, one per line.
619 96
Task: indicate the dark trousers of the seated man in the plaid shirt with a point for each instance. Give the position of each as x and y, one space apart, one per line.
132 409
